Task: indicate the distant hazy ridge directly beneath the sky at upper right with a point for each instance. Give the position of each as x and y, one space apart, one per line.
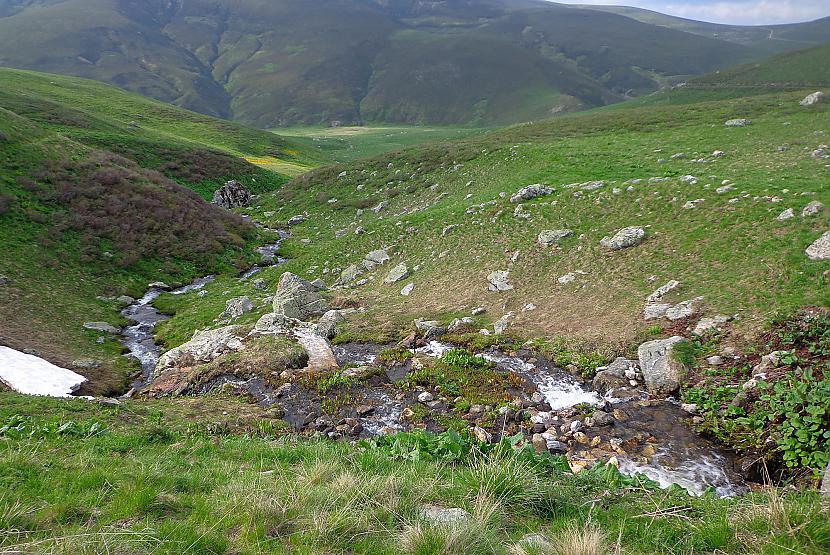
766 38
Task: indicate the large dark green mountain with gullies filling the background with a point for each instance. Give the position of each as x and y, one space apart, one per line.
293 61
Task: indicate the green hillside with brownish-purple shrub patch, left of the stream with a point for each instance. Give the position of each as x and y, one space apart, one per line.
103 192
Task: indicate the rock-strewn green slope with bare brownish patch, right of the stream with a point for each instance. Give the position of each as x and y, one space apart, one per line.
736 255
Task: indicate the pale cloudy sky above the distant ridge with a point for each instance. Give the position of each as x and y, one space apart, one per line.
744 12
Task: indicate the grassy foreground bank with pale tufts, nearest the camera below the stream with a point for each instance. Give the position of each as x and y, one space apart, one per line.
211 475
